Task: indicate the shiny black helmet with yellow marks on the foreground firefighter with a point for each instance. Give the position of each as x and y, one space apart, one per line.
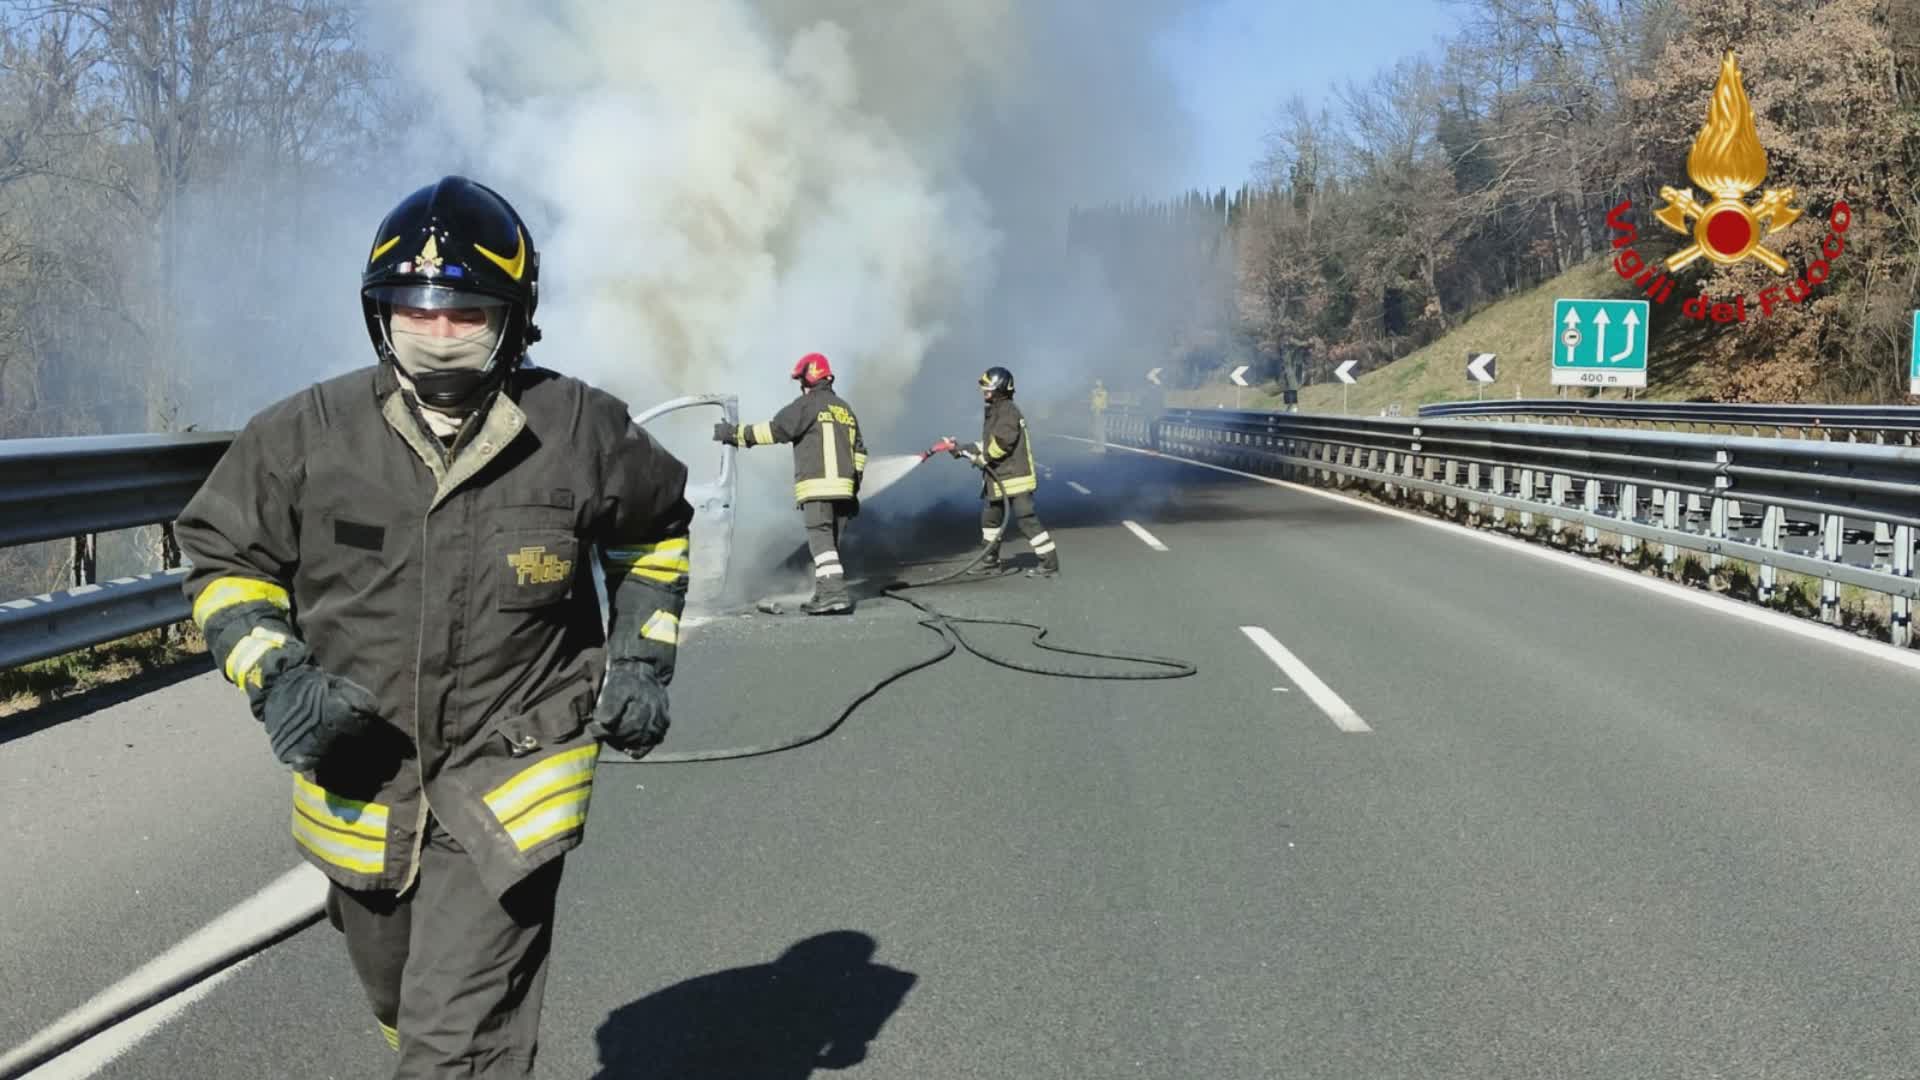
454 245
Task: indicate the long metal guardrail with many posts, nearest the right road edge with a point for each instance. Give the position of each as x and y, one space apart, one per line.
1635 485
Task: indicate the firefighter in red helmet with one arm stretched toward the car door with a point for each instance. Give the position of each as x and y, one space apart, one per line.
828 464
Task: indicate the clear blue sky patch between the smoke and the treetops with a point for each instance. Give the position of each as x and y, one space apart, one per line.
1241 61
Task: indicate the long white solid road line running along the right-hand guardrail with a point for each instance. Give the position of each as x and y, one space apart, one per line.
1717 604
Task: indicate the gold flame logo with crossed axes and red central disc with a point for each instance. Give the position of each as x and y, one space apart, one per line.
1729 162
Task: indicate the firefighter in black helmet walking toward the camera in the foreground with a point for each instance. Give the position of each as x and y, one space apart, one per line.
395 568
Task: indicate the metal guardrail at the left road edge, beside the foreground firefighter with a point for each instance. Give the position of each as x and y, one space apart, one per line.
74 489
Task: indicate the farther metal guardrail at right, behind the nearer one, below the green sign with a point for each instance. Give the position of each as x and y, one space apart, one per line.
1825 420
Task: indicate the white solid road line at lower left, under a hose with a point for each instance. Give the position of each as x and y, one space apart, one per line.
291 900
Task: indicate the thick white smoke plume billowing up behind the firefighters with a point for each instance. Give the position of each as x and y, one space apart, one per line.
721 187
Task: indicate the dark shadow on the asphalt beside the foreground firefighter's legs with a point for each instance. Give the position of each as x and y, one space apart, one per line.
817 1006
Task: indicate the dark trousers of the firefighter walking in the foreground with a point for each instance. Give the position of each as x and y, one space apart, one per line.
456 979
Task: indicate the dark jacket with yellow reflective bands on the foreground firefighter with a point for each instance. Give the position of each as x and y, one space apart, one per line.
458 593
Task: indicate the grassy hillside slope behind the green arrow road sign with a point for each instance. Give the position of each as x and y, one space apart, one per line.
1516 330
